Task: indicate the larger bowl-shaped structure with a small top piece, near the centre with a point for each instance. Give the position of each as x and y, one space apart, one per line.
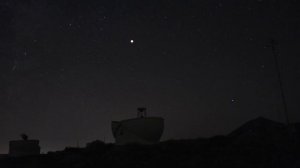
142 130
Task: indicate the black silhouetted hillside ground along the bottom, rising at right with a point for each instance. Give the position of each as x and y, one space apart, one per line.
258 143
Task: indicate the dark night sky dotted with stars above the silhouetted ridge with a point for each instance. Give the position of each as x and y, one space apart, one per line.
70 67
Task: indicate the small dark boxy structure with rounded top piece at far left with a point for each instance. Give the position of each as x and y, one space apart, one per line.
24 147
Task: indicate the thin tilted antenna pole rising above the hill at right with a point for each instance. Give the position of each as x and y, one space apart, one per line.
285 110
